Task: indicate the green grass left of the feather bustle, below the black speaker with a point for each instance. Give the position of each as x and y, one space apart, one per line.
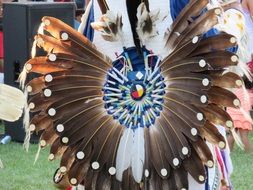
19 172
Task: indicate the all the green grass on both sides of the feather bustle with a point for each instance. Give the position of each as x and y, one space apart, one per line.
19 172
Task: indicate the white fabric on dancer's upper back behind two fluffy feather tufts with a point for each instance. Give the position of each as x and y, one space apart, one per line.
110 48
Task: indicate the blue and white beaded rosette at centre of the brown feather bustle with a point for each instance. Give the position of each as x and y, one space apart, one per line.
134 90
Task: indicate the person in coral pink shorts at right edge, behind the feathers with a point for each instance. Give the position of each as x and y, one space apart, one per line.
241 118
